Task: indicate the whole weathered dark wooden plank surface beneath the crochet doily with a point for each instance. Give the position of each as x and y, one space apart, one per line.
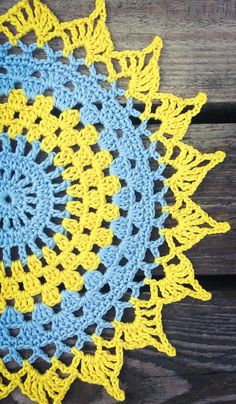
199 54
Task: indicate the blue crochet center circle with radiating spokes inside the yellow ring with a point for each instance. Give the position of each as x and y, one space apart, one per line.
27 199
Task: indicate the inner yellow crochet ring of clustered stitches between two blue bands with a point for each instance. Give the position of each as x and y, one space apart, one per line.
89 193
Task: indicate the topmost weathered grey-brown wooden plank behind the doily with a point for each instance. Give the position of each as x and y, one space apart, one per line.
199 39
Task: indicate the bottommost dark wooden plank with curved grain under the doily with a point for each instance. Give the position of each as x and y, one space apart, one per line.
204 370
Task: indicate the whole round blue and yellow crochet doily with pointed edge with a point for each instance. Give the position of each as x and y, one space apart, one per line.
84 213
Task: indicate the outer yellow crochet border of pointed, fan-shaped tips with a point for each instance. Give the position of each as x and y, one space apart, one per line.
175 114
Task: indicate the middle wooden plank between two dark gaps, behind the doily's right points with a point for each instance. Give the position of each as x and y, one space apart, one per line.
217 195
